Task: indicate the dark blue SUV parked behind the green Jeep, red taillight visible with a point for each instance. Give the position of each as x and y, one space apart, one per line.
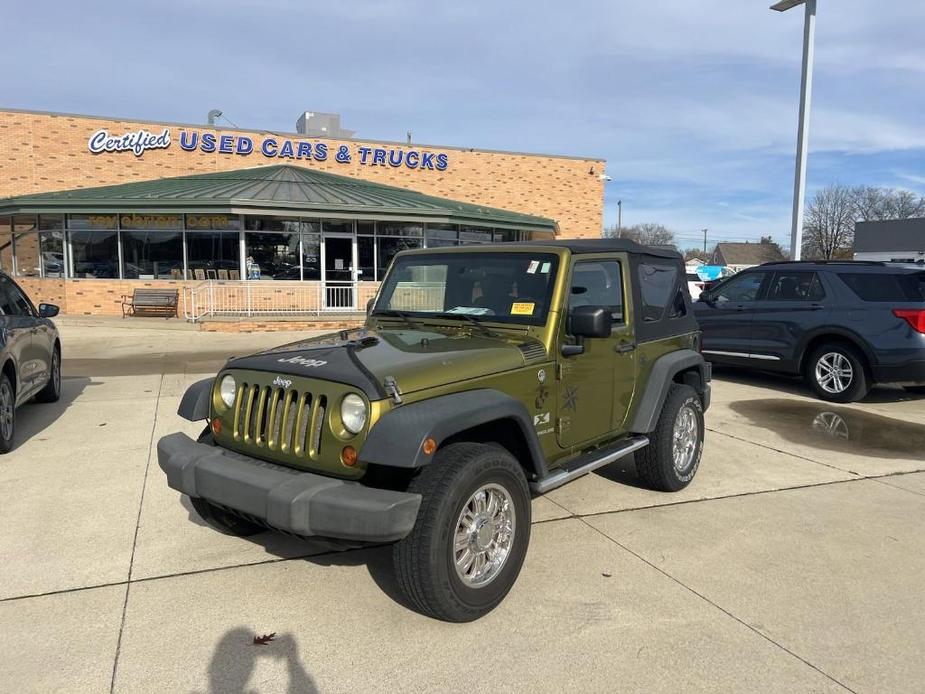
843 325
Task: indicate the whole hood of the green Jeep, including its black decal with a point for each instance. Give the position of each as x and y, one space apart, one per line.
415 358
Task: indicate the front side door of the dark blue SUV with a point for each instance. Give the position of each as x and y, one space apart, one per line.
726 316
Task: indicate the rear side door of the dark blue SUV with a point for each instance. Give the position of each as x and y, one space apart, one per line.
794 303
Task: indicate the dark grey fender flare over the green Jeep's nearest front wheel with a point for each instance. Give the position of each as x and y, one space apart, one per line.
397 439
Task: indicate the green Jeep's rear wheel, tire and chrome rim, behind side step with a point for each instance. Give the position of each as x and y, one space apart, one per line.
671 459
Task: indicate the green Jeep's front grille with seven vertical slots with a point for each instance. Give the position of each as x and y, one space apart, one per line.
279 419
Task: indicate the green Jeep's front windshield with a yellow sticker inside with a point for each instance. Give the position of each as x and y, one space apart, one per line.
513 287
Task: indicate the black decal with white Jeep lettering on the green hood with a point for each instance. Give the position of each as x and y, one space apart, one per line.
329 361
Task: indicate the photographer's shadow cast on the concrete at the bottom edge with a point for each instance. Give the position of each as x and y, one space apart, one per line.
236 656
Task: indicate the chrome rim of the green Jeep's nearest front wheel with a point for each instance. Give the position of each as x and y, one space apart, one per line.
484 535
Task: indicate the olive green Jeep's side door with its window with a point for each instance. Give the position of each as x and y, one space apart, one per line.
595 388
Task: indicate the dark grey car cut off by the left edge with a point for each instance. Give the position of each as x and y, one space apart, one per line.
30 354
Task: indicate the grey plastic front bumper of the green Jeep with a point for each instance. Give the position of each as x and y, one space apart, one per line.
298 502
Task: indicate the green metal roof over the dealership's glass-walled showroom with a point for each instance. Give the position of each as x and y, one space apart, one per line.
282 190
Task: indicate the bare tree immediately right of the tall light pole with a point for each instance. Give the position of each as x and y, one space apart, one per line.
828 224
